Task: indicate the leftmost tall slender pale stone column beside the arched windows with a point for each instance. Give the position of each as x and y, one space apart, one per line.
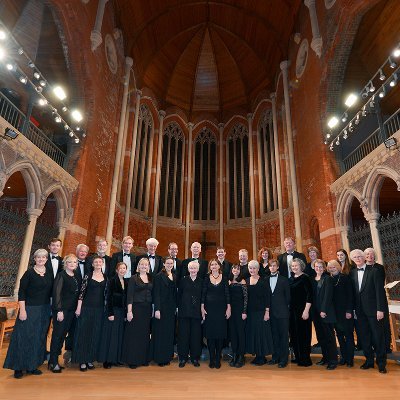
117 163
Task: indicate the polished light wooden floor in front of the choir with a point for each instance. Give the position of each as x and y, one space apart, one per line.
171 382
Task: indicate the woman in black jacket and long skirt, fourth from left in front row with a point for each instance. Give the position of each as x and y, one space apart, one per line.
114 322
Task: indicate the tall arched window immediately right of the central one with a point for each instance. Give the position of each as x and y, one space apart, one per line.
238 172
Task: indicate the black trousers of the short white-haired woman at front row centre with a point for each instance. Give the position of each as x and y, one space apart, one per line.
189 338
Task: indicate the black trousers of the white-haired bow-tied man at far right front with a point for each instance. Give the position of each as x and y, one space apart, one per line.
372 334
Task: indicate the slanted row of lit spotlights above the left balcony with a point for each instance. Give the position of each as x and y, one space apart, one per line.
37 82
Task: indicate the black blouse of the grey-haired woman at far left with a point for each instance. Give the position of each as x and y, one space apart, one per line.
35 289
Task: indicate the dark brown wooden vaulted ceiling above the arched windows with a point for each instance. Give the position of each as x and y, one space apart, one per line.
207 56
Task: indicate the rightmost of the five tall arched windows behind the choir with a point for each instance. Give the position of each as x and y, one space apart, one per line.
266 156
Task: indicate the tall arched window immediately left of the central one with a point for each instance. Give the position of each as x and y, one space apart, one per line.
171 186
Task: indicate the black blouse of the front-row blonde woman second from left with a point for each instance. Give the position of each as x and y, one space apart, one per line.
65 292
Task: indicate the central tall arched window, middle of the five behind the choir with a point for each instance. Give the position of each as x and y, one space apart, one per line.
205 176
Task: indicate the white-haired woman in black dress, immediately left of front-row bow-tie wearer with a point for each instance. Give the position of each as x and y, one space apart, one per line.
258 329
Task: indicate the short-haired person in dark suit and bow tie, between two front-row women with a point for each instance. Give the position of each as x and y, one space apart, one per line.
279 292
